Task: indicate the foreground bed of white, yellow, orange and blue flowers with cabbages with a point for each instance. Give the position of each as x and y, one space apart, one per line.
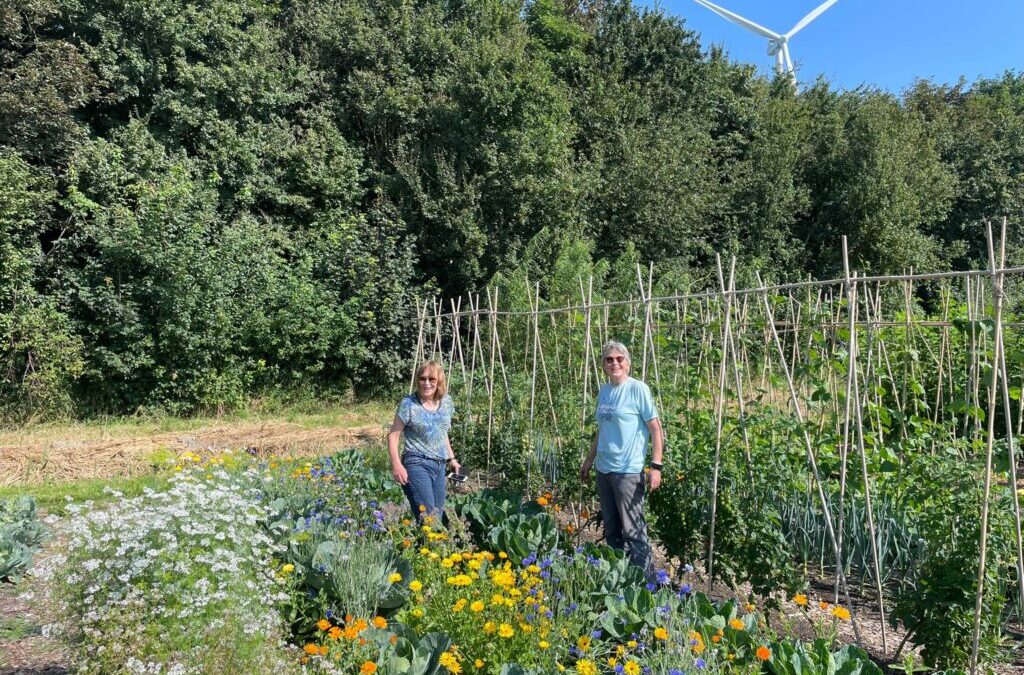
317 568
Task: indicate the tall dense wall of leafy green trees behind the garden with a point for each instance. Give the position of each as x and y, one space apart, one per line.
200 202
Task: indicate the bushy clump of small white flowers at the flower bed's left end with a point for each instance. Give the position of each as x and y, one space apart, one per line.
149 583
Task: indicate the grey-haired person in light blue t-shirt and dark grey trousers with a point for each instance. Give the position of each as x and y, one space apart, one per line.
627 419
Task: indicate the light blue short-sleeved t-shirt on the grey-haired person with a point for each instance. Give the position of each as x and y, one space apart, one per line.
623 413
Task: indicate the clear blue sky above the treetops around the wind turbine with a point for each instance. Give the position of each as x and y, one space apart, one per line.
883 44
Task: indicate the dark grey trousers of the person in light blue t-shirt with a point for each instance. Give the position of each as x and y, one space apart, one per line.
622 510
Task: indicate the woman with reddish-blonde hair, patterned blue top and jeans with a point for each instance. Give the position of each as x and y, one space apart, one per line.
424 418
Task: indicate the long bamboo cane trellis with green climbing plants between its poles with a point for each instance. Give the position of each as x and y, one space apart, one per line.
733 342
